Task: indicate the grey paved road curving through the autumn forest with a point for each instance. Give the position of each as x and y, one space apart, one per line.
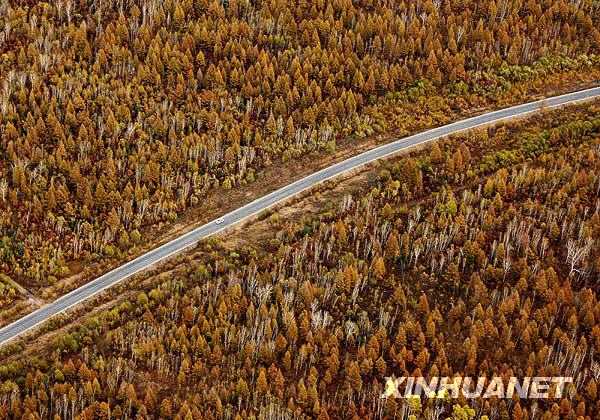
189 239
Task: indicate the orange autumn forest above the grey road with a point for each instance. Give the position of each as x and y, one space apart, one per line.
118 117
